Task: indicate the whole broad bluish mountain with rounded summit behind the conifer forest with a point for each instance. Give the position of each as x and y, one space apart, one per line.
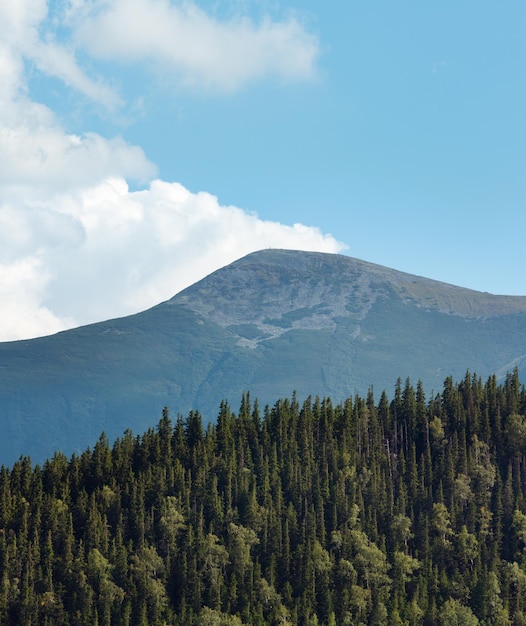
273 322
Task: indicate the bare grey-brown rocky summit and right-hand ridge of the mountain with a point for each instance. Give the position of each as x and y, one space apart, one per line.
277 283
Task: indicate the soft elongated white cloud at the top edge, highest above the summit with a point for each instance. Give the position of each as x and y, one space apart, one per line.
195 49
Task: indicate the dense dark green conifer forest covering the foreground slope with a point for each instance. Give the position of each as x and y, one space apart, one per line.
379 511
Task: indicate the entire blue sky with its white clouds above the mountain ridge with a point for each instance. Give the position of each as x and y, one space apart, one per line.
145 143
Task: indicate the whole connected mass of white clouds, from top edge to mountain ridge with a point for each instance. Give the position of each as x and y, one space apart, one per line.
76 244
